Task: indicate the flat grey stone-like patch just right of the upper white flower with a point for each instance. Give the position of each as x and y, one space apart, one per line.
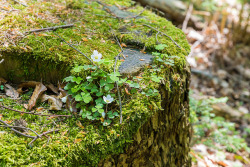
134 61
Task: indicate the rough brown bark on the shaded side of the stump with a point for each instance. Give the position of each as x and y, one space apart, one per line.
164 139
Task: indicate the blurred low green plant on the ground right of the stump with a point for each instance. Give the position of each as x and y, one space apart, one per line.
213 129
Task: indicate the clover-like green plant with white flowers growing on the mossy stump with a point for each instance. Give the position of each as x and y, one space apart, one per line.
95 92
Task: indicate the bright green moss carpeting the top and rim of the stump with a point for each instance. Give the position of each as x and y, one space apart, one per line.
90 32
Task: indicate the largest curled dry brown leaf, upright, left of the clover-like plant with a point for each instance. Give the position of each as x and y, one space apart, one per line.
40 88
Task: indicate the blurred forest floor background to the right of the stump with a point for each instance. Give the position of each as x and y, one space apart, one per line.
218 32
